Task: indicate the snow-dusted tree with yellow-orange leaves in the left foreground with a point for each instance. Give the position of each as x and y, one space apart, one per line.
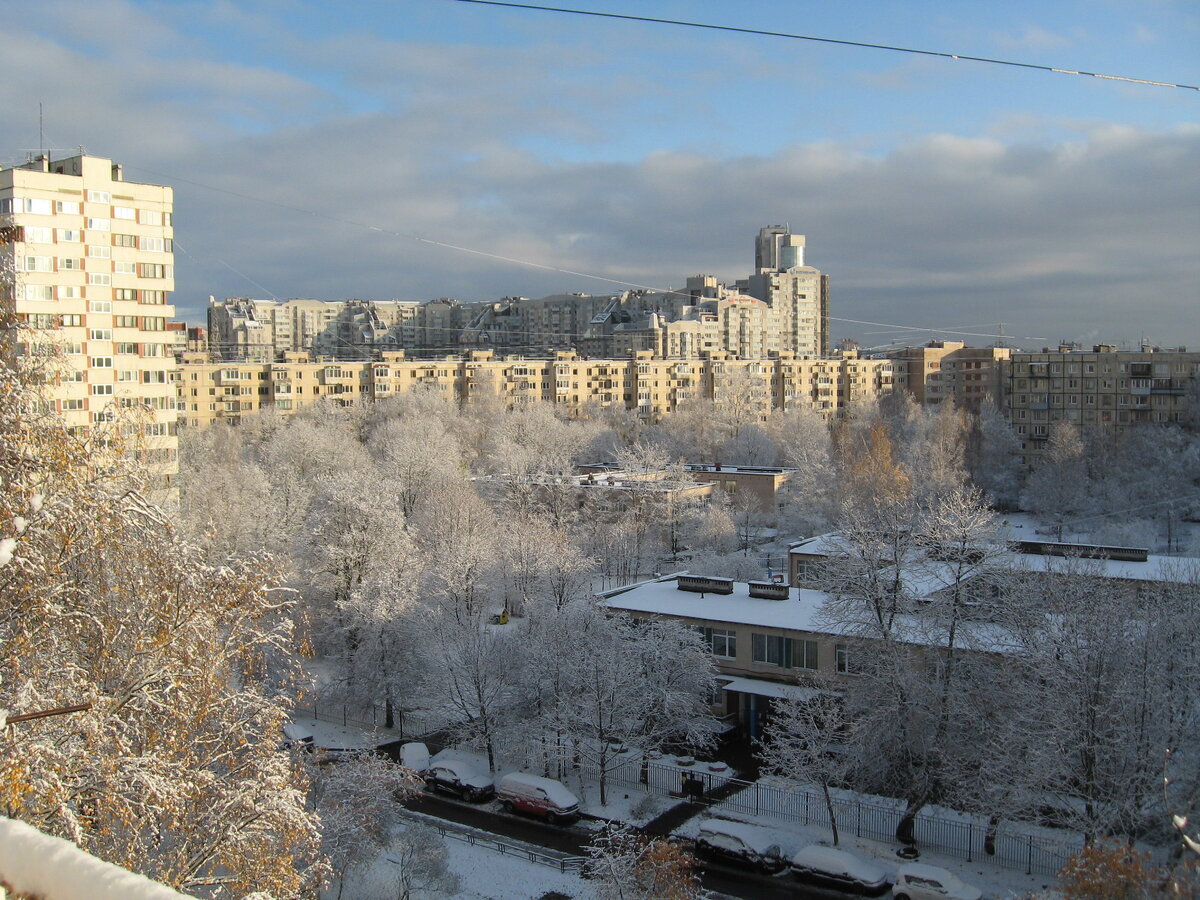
173 770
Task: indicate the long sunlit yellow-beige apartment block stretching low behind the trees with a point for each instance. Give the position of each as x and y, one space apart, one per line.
214 391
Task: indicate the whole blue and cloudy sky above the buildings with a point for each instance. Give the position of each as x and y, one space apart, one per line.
334 151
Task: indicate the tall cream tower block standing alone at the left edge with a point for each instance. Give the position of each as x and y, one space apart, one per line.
94 275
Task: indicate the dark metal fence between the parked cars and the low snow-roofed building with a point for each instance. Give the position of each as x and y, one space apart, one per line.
970 839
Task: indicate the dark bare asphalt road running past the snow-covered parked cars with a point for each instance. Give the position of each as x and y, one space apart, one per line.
574 841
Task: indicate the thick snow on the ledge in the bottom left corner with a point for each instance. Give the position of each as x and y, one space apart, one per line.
35 865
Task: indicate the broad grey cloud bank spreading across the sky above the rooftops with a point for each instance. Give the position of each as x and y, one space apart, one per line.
315 176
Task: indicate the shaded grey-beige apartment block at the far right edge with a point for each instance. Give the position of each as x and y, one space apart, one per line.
1103 388
